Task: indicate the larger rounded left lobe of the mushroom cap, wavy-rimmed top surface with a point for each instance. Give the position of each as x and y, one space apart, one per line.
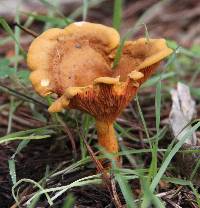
74 56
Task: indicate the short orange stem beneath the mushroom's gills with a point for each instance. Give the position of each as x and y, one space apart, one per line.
106 137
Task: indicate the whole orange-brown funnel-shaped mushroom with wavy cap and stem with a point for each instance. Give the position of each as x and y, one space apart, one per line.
76 64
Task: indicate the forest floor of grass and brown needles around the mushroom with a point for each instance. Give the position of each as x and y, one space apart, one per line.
38 149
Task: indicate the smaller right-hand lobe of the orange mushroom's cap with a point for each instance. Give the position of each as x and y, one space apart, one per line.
140 54
